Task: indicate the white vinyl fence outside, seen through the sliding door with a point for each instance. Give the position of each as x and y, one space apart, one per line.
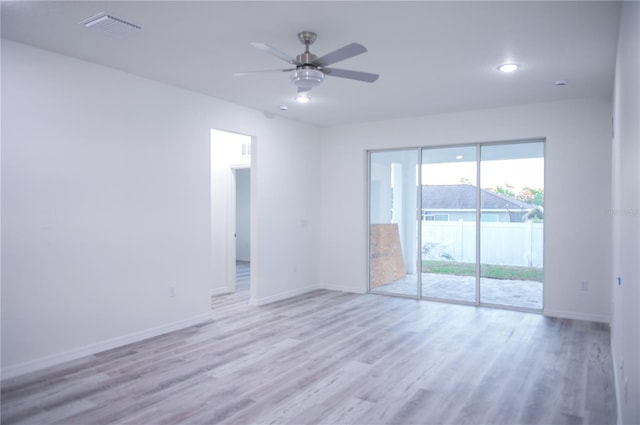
511 244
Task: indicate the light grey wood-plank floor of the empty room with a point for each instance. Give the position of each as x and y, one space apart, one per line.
336 358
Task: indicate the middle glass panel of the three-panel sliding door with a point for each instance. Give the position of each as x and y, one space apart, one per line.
449 201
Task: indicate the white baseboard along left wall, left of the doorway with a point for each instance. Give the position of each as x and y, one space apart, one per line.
88 350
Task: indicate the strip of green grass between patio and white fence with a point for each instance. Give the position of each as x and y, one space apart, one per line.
486 270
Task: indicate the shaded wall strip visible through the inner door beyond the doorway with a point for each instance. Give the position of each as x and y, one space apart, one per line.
243 214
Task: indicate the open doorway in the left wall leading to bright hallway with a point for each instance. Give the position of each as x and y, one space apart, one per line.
232 217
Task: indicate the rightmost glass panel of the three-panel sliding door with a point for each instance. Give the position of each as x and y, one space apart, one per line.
511 224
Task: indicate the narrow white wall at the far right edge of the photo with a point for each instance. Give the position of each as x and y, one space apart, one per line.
625 217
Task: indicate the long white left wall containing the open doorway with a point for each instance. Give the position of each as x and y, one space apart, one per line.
105 205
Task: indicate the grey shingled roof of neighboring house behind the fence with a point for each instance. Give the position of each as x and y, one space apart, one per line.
463 197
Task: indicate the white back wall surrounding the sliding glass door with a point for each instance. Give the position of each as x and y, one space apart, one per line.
577 246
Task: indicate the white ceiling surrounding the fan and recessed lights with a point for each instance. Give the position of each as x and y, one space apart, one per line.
432 57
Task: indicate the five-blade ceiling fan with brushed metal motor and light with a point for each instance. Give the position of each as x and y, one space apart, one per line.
310 70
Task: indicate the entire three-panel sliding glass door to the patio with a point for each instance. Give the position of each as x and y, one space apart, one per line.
461 224
